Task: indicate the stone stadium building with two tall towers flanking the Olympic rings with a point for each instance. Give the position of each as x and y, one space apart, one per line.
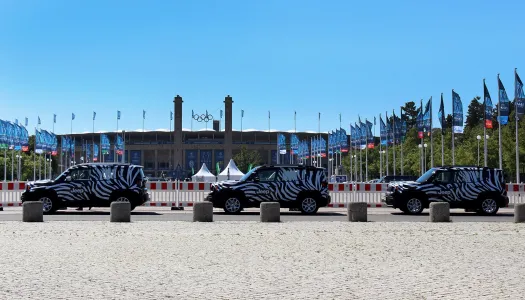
175 153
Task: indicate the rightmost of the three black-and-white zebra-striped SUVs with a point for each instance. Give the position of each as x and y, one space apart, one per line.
472 188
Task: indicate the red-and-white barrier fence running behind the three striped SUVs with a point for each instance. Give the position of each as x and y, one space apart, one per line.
184 194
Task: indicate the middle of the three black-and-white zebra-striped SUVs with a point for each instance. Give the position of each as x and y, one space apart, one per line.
296 187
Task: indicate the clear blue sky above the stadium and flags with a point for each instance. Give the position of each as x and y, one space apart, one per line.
350 57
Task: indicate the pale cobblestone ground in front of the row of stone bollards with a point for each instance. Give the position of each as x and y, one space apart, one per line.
250 260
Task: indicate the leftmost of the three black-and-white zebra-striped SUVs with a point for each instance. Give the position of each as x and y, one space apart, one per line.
90 185
